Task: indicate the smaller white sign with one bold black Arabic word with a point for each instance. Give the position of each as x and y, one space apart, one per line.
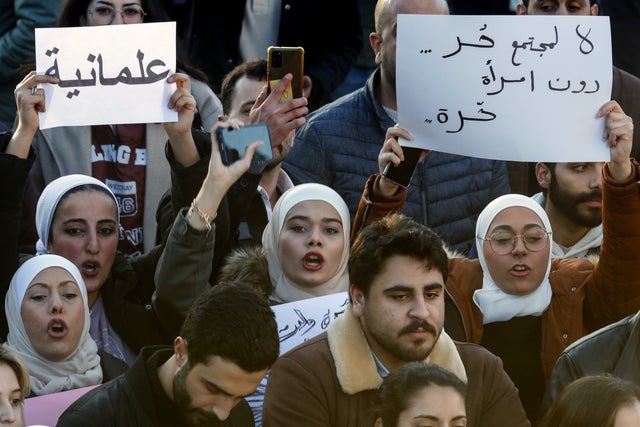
109 74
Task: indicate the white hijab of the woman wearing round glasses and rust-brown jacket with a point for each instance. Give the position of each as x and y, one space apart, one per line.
495 304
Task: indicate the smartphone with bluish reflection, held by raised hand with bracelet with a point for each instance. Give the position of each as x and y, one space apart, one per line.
234 142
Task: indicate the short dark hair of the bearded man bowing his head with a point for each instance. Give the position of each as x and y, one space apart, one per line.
234 322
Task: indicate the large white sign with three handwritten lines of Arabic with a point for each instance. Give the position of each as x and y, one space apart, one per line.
523 88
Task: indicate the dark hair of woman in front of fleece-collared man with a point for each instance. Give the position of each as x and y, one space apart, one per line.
402 385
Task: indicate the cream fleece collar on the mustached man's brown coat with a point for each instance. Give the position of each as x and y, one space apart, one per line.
355 367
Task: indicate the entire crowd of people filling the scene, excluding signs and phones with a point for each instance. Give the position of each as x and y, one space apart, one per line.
473 300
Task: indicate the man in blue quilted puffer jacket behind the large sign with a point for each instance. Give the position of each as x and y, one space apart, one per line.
339 145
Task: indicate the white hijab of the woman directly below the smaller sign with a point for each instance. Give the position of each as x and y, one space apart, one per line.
50 198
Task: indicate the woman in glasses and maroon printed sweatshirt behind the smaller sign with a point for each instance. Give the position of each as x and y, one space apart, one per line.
142 178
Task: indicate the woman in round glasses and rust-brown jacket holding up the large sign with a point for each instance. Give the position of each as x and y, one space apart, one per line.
515 300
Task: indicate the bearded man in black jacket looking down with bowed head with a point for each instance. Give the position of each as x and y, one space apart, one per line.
227 342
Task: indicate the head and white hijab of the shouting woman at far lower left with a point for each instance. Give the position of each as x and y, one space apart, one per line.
48 316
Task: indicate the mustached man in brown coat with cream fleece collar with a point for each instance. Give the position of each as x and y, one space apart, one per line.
397 269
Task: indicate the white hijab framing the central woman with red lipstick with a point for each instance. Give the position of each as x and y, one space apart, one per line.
285 290
